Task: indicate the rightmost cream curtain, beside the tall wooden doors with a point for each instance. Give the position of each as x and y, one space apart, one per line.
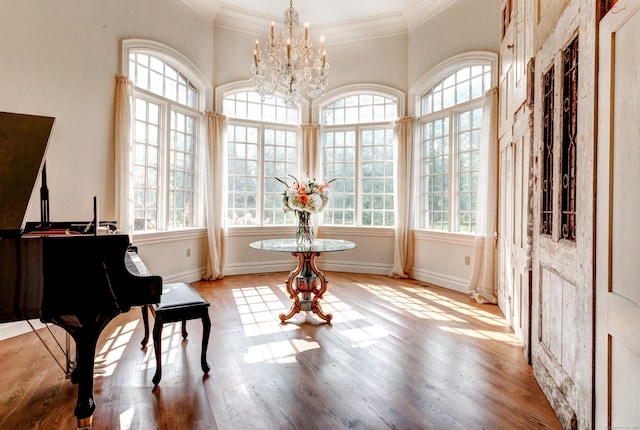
482 285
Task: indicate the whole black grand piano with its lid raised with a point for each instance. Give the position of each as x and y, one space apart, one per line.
53 272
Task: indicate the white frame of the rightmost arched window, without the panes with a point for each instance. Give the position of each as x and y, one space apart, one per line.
417 92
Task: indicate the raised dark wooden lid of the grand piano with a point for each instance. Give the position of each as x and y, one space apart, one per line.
23 145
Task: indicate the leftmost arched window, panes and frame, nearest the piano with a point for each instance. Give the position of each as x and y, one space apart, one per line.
168 100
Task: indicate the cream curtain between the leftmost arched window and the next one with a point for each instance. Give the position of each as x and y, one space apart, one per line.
215 189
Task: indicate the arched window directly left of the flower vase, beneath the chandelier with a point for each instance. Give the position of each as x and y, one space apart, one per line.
263 144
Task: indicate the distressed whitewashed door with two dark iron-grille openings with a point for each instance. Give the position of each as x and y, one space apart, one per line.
562 334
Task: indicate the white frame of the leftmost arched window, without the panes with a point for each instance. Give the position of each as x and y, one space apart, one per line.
204 90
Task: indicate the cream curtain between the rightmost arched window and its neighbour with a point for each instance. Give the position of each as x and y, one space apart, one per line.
403 244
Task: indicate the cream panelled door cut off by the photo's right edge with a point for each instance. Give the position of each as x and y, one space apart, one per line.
618 220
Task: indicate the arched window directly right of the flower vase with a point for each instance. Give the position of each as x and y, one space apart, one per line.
357 139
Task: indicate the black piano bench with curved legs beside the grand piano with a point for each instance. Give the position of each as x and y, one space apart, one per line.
178 302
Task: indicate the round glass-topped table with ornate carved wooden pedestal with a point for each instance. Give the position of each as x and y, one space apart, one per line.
302 283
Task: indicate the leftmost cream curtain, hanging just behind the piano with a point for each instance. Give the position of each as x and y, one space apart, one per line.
124 165
